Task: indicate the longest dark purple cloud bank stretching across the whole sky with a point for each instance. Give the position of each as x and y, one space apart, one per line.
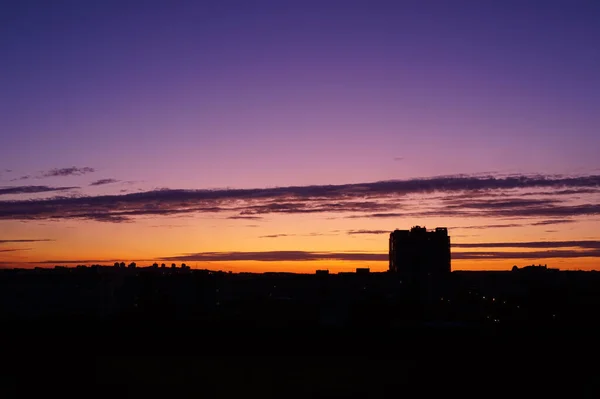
251 204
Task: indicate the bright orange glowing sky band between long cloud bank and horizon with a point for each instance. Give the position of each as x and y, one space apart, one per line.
153 239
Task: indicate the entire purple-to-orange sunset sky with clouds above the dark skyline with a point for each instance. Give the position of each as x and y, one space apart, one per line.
296 135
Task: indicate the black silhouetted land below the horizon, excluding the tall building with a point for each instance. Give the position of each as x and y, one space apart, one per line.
151 334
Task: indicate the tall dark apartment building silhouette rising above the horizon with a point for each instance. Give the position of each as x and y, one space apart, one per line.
418 251
